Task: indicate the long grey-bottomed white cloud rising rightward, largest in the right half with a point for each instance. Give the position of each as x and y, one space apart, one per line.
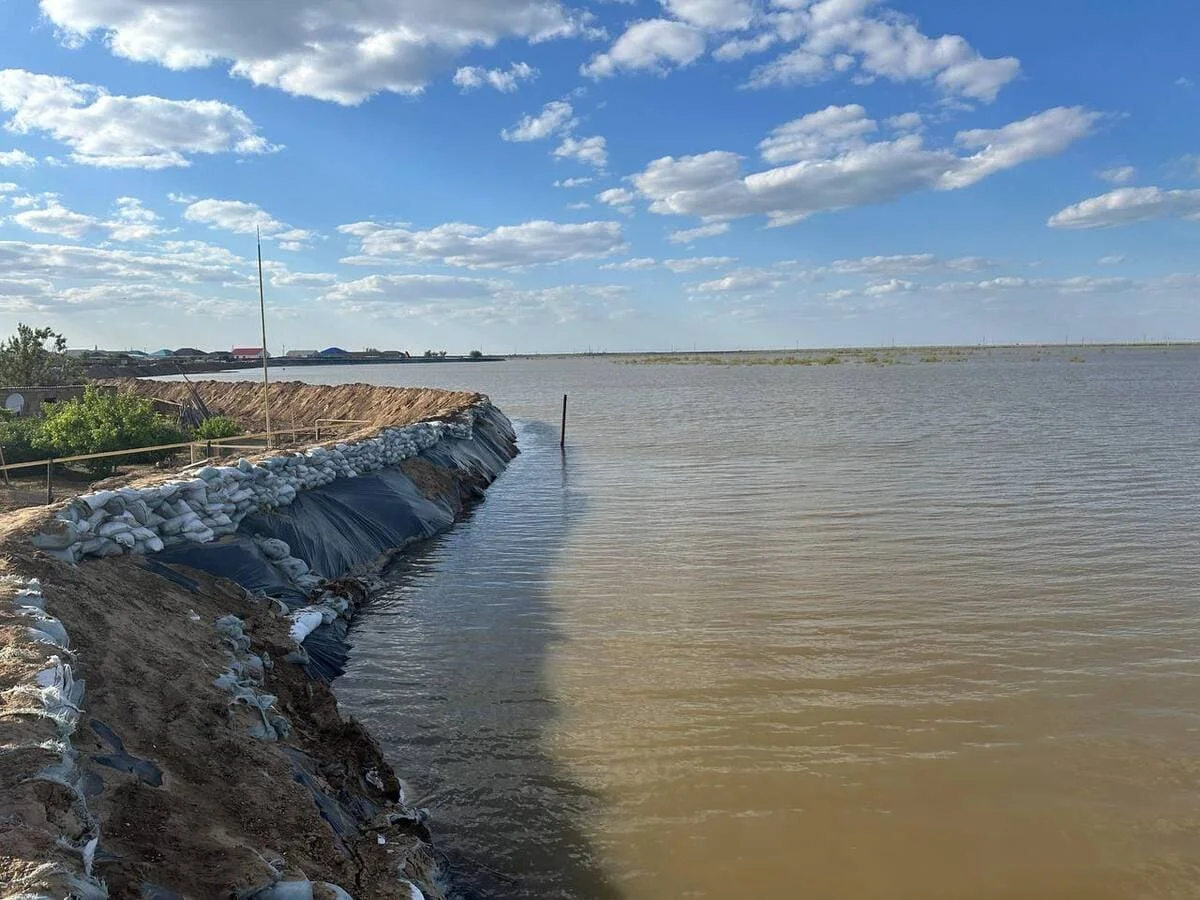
856 173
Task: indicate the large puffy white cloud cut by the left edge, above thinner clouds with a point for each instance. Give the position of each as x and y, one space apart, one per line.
124 133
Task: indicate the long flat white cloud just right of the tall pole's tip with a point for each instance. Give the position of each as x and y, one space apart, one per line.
537 243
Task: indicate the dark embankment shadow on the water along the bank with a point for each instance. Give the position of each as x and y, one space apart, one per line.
449 674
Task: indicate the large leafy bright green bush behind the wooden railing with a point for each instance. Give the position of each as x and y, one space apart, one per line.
101 422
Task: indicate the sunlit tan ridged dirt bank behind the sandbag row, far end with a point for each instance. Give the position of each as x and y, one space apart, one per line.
299 405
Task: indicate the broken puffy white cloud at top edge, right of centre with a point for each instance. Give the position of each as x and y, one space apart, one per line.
835 35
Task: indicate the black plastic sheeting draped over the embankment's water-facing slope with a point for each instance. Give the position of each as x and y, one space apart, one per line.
339 529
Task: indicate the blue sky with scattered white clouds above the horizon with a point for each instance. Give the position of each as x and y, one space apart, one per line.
531 176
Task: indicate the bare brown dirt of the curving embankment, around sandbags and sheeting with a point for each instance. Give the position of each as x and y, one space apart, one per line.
190 803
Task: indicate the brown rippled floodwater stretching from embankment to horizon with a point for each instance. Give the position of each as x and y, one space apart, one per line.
857 632
